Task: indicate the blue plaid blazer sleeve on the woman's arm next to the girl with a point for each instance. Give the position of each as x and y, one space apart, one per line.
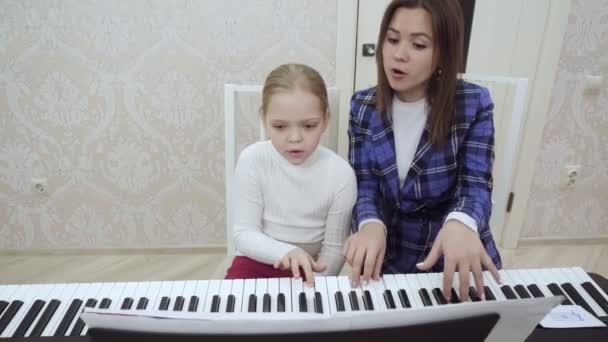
360 157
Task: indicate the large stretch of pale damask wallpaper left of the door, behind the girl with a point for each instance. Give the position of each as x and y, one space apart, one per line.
119 104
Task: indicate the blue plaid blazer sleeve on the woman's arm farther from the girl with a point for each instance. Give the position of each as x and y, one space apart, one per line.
473 195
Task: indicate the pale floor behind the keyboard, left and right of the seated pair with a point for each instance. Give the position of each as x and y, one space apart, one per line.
18 268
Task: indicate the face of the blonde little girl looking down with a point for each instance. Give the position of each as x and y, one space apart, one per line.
295 122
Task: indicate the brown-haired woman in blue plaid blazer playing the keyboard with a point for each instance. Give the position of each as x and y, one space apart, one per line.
422 146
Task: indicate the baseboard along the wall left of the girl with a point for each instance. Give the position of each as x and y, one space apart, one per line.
207 249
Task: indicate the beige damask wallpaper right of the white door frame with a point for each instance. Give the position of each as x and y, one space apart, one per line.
576 132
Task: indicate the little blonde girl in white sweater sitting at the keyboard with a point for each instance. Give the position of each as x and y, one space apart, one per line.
294 198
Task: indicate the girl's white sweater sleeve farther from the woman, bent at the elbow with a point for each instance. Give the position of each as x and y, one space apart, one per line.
249 239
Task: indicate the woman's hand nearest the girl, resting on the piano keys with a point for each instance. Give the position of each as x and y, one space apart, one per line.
364 251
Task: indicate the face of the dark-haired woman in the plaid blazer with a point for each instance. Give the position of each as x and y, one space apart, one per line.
408 53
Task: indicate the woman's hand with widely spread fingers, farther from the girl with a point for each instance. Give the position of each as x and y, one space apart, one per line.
463 252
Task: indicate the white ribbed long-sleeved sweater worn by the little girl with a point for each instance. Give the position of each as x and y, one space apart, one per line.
280 206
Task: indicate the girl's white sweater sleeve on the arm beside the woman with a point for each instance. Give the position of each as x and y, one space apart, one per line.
337 224
